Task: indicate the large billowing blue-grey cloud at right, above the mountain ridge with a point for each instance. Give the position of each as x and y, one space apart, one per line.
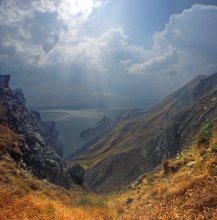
187 44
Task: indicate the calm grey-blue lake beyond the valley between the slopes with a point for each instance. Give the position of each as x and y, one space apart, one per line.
70 123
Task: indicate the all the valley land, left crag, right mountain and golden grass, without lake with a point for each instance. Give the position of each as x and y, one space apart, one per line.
176 180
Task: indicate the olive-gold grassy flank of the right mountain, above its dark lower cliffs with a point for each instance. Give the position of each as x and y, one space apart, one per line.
134 131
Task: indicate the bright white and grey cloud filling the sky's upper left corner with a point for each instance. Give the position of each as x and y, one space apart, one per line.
33 28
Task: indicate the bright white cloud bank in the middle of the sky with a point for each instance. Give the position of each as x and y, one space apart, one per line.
102 52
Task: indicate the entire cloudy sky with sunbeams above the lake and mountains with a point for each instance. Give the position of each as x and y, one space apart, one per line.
105 53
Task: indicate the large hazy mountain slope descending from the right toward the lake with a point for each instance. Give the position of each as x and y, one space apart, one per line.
140 141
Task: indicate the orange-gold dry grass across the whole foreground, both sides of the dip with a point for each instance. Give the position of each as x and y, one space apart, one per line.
184 188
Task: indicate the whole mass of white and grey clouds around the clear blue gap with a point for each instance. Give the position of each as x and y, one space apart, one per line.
48 36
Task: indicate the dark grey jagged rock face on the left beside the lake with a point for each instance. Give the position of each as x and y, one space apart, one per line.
42 150
